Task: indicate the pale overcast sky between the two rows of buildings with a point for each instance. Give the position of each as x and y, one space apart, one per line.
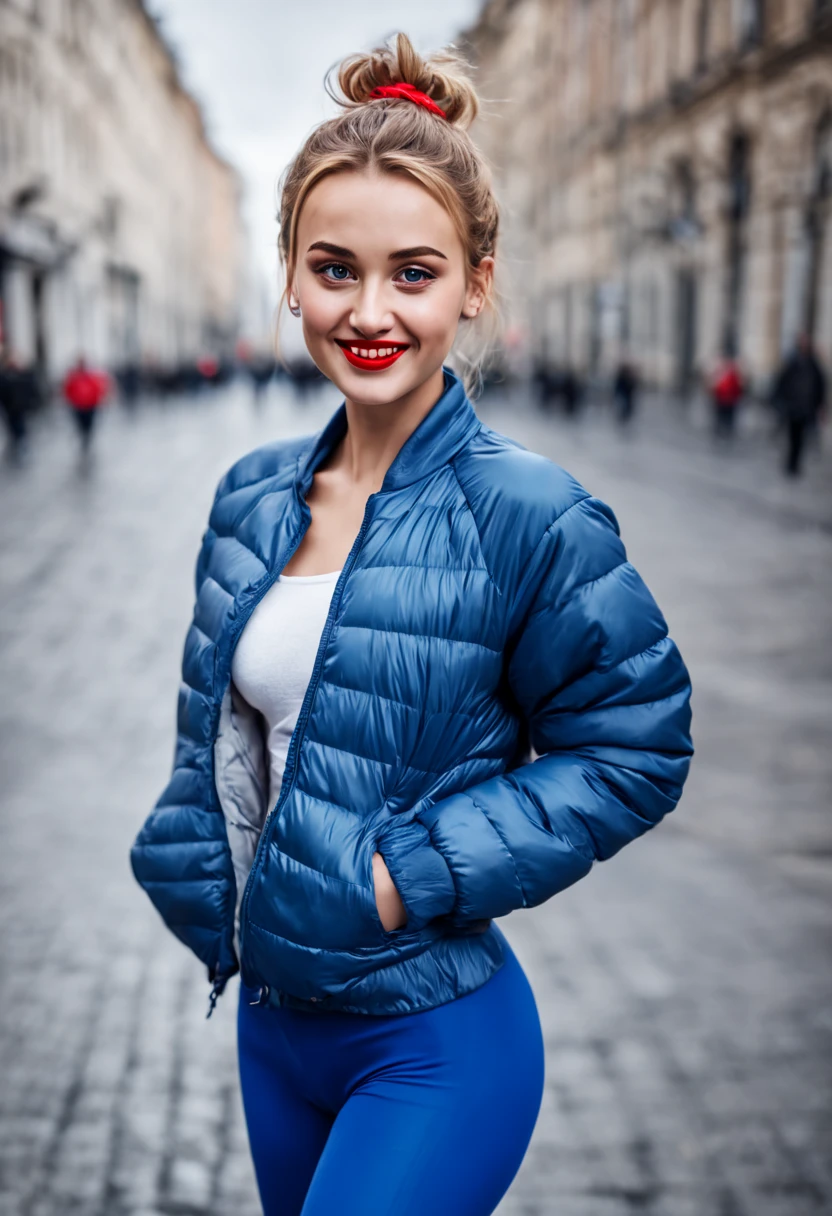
258 67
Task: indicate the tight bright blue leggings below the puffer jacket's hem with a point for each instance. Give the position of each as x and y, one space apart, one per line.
400 1116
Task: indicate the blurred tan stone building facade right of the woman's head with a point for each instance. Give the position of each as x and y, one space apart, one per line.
666 172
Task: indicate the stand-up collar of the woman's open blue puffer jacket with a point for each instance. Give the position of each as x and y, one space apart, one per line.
436 441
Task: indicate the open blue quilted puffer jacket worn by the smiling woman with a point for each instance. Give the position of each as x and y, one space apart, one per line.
487 609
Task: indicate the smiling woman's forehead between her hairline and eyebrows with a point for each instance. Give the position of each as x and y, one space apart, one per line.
375 215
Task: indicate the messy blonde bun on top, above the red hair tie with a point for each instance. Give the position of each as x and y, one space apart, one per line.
443 77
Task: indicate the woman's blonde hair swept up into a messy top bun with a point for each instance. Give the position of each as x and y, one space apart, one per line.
396 136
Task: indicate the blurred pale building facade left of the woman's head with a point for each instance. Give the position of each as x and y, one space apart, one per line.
121 232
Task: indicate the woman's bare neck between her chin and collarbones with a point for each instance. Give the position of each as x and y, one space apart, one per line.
375 434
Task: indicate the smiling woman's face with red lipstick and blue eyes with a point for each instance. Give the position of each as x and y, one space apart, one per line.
383 282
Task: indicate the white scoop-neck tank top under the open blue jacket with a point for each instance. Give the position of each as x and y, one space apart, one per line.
276 656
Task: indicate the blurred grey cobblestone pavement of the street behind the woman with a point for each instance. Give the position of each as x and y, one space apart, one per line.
685 988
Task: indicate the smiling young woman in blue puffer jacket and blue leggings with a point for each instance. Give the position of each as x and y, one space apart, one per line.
391 616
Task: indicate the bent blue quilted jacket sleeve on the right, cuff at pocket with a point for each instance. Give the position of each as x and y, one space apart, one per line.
606 697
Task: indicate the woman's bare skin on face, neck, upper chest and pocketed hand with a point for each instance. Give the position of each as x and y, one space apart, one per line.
418 302
